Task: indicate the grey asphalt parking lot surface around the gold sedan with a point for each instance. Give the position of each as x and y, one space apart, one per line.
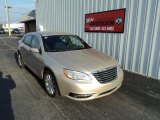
22 96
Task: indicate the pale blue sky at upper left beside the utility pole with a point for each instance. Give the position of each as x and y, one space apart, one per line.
19 7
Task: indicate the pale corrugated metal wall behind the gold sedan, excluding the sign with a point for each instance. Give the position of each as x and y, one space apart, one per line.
137 49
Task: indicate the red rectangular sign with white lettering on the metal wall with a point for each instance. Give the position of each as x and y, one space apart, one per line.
108 21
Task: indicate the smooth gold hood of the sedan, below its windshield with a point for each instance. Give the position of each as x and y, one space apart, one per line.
83 60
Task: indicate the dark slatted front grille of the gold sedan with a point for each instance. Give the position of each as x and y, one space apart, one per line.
106 75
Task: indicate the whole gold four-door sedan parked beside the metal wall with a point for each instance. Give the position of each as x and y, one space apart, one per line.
68 66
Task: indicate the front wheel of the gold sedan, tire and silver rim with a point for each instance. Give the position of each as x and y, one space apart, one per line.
50 84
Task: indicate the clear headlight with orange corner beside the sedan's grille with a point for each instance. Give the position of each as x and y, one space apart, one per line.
76 75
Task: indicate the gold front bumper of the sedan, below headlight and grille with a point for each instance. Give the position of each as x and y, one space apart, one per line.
82 91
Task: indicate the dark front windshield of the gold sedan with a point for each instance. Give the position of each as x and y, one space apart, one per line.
60 43
